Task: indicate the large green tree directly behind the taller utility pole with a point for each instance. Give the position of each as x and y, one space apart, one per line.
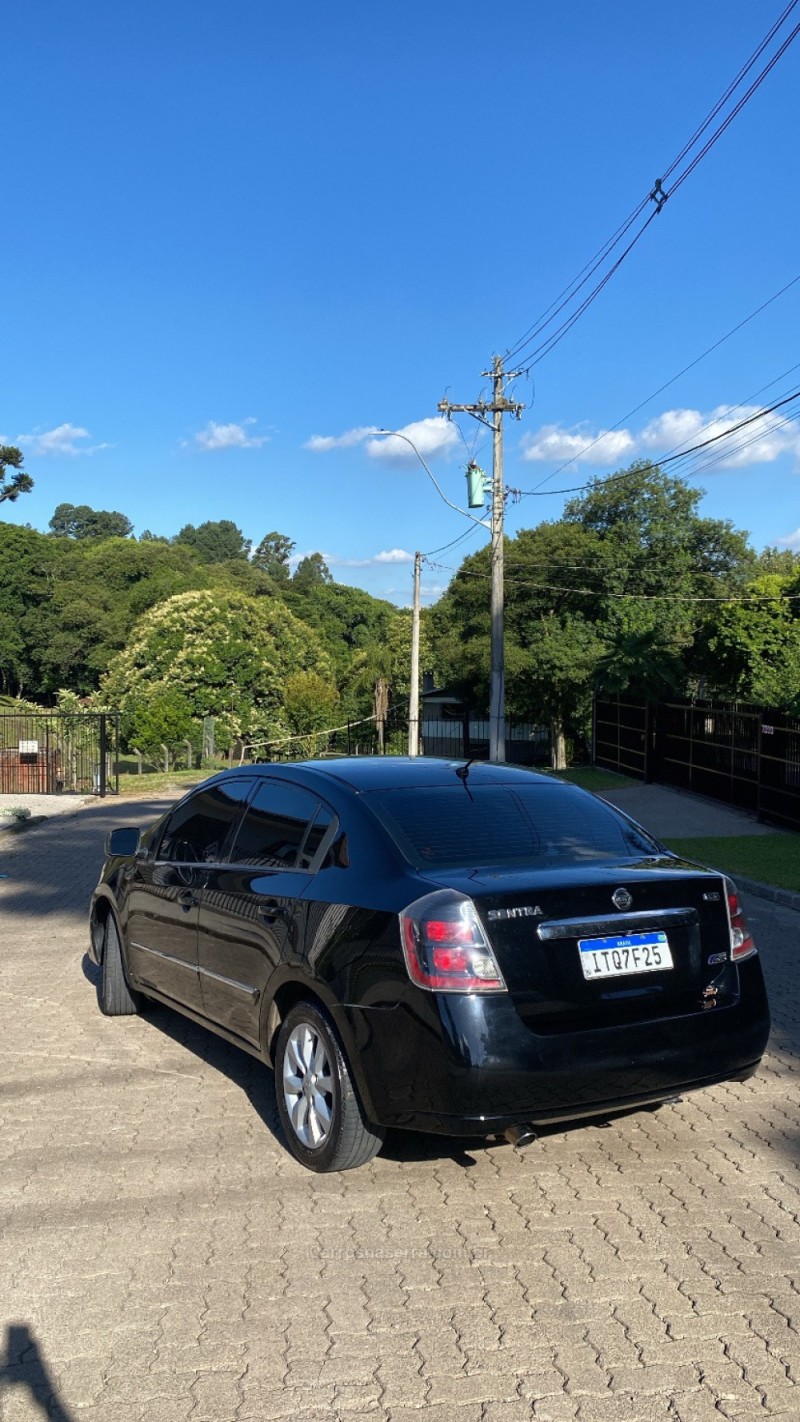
613 589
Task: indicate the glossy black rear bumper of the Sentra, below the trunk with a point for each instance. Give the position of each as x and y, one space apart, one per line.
468 1066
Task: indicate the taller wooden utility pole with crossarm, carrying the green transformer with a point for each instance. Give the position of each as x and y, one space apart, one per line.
481 410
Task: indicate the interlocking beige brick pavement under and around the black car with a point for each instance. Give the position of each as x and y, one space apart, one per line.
163 1258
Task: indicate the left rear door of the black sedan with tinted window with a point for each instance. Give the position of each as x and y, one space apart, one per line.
251 918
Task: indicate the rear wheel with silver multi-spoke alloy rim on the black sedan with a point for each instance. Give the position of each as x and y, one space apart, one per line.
319 1108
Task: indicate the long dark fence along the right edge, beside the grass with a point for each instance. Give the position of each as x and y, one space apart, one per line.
745 756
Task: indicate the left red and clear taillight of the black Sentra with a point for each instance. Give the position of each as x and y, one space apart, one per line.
445 946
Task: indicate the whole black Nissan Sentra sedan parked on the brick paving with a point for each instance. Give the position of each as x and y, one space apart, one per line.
454 948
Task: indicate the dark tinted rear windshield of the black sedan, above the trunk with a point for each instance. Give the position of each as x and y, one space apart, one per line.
463 825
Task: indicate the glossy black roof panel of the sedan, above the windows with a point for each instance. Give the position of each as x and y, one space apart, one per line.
382 773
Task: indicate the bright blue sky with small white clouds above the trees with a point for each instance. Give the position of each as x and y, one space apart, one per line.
239 237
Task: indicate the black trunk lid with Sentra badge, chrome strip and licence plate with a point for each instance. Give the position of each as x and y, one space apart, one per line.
589 948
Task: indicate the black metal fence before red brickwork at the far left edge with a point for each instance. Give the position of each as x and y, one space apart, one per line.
50 753
